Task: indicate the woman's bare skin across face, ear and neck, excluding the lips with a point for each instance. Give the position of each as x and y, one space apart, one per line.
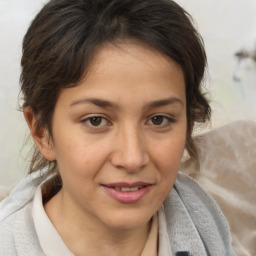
131 84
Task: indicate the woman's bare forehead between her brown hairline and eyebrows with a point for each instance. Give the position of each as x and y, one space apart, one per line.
128 73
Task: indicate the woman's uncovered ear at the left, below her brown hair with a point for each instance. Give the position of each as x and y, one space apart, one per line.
40 136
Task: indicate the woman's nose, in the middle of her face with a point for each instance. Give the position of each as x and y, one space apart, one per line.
130 151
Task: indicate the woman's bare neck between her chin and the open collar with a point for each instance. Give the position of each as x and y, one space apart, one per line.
87 236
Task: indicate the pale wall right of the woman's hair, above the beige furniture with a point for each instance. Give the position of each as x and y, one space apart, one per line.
228 27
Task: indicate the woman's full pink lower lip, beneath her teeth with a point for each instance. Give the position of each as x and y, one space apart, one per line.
127 197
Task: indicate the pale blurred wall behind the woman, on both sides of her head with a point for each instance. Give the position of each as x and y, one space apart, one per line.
229 32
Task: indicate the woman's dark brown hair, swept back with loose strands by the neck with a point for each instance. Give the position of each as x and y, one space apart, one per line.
64 36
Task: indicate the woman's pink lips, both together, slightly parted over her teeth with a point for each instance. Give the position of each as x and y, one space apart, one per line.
127 192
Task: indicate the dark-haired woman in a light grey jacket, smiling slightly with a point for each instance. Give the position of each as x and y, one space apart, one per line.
112 90
